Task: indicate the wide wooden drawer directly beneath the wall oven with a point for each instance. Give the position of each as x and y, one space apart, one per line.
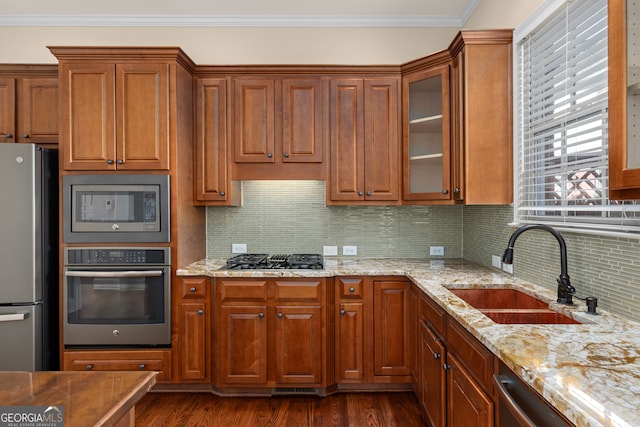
152 360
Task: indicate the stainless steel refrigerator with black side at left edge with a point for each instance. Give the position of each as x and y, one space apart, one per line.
28 258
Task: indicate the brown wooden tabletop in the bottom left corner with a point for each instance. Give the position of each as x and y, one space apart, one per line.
86 398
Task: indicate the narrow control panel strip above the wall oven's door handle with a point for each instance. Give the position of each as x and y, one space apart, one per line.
117 256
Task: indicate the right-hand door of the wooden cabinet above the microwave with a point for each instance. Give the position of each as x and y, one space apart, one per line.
142 116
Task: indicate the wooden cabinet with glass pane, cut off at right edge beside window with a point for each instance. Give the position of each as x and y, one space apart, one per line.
624 99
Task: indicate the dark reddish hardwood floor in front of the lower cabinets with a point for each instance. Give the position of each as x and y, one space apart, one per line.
344 409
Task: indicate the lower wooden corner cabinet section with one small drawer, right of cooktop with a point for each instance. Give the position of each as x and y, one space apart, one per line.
372 331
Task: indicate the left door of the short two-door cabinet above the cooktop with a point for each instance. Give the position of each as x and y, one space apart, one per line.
254 120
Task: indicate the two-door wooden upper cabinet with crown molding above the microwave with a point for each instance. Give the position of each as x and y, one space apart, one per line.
119 106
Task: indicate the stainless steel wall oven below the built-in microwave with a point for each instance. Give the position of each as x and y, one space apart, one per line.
117 297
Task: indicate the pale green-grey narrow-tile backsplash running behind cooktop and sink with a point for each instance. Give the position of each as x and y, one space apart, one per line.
292 216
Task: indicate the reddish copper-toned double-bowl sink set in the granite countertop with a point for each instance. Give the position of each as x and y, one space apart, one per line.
510 306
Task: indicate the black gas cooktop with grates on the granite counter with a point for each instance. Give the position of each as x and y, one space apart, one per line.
272 262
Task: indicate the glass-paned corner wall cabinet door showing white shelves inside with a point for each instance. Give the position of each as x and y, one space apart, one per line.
427 166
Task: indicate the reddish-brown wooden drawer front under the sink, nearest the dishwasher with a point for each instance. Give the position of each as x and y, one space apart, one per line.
472 354
